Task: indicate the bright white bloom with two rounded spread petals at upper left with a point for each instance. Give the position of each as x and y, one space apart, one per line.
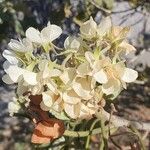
46 36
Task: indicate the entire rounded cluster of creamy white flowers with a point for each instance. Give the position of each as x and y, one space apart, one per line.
93 70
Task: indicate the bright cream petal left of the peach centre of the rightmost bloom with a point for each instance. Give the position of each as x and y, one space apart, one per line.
101 76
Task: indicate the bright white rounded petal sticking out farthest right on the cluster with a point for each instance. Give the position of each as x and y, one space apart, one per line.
129 75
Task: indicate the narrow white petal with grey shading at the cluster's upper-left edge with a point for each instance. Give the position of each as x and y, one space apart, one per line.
10 56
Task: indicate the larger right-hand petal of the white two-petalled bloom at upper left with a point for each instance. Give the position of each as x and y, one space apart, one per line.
50 33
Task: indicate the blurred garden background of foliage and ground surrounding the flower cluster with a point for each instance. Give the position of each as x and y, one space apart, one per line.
17 15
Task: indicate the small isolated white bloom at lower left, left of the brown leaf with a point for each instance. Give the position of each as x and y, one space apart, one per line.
13 107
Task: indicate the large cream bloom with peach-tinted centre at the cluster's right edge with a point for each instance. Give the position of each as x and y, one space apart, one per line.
111 76
